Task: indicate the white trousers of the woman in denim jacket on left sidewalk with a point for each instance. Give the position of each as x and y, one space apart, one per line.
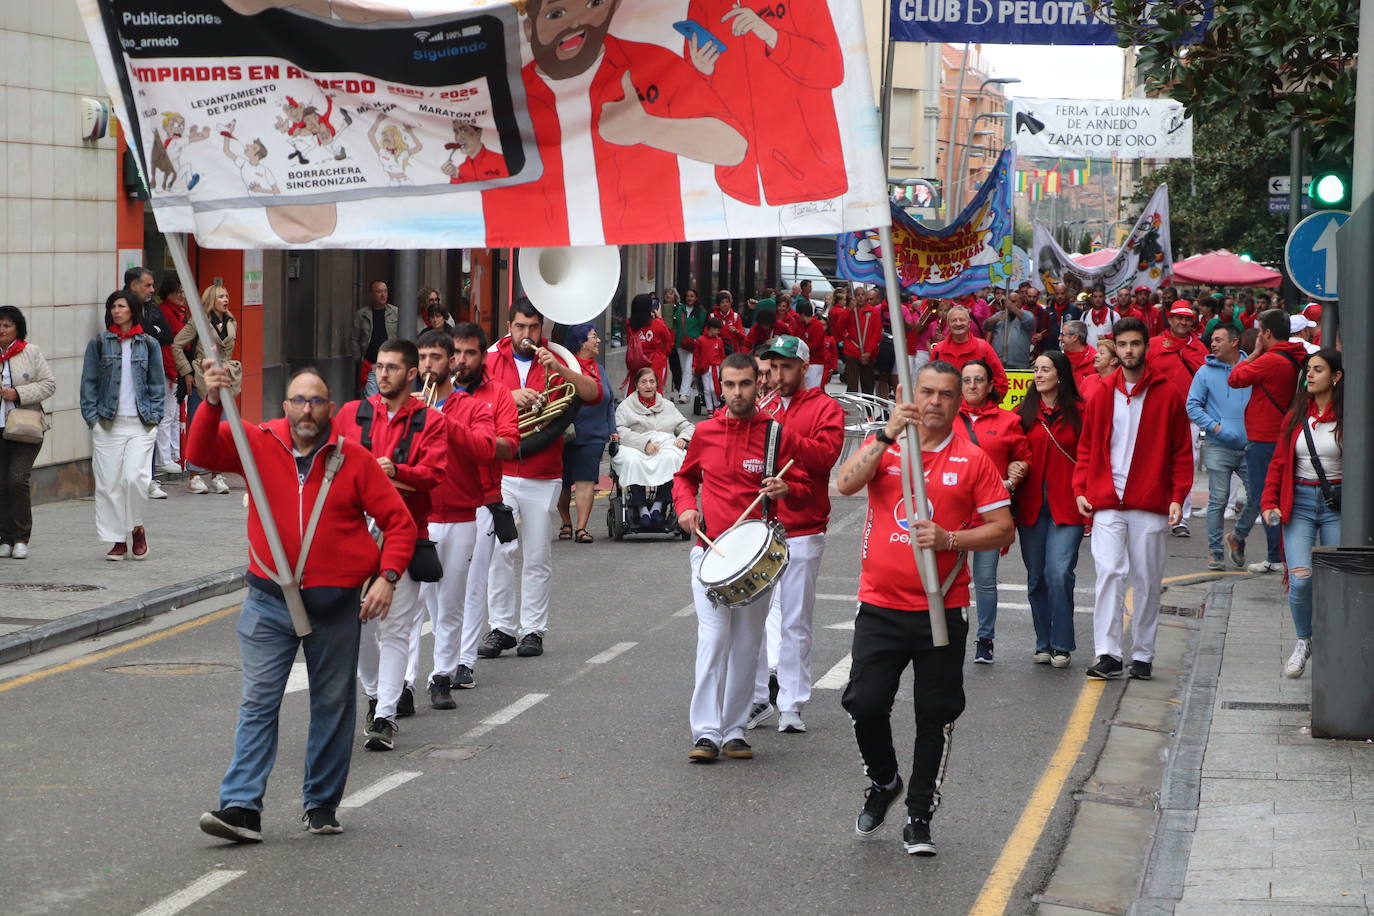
122 459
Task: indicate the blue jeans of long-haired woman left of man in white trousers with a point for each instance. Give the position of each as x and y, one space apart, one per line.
1050 554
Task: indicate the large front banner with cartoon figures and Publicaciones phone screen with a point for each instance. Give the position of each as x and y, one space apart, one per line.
427 124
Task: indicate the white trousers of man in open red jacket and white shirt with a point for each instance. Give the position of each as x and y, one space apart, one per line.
1129 549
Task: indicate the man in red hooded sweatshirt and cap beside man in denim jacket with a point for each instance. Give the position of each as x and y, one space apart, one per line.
1272 374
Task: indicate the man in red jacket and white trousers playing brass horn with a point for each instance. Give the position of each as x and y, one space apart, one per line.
530 485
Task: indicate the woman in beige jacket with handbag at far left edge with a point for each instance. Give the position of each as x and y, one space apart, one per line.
25 382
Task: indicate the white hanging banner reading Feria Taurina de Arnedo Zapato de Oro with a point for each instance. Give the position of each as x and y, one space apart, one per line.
1103 128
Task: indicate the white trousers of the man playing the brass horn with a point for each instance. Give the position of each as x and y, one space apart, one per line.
534 505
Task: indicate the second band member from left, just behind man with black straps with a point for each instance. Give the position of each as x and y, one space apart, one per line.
453 514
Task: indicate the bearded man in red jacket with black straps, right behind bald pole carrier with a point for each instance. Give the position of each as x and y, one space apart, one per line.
410 443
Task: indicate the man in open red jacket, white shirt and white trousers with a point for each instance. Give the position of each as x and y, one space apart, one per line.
1134 472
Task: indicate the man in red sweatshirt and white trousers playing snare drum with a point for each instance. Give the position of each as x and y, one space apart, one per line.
723 473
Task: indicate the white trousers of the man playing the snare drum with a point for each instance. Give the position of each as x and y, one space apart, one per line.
728 657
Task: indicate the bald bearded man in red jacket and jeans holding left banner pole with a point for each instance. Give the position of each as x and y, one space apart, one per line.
295 457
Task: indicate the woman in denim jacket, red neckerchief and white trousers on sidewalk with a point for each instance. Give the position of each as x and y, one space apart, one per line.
122 402
